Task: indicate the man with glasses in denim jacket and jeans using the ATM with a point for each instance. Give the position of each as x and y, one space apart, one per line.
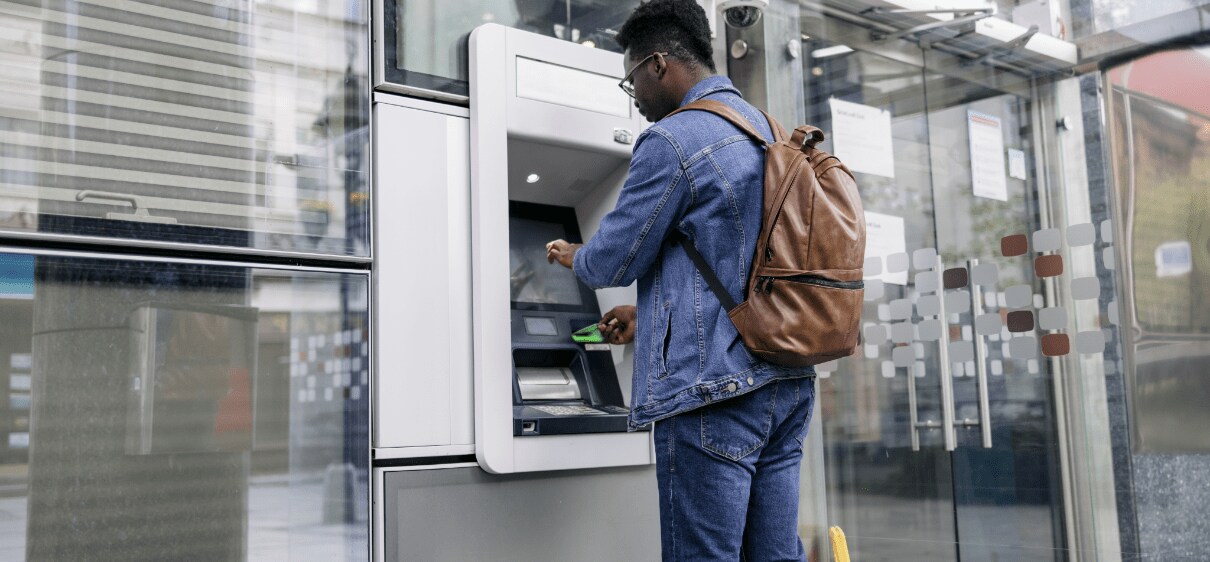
729 428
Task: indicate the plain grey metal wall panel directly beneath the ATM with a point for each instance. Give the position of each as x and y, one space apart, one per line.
466 514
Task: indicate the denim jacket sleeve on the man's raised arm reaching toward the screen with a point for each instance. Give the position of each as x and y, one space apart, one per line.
654 200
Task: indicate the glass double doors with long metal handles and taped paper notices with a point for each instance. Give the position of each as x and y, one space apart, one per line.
940 439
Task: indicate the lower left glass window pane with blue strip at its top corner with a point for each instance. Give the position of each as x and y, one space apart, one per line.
182 412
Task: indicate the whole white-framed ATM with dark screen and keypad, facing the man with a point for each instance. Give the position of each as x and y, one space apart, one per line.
551 140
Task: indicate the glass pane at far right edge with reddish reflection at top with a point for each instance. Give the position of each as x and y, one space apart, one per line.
1161 139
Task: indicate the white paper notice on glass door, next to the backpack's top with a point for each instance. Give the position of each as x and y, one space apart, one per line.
862 139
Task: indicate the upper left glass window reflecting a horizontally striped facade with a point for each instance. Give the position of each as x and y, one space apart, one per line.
239 124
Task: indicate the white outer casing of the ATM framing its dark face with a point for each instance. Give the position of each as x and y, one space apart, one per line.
567 102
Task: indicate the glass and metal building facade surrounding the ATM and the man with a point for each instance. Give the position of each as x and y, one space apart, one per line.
206 277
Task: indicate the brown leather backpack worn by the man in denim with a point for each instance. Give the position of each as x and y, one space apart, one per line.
804 297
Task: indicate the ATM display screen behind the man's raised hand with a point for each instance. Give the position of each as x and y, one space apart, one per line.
534 280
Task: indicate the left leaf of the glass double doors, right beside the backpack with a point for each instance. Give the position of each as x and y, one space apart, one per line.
895 501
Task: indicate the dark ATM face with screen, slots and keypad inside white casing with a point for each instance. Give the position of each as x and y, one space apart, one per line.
560 387
